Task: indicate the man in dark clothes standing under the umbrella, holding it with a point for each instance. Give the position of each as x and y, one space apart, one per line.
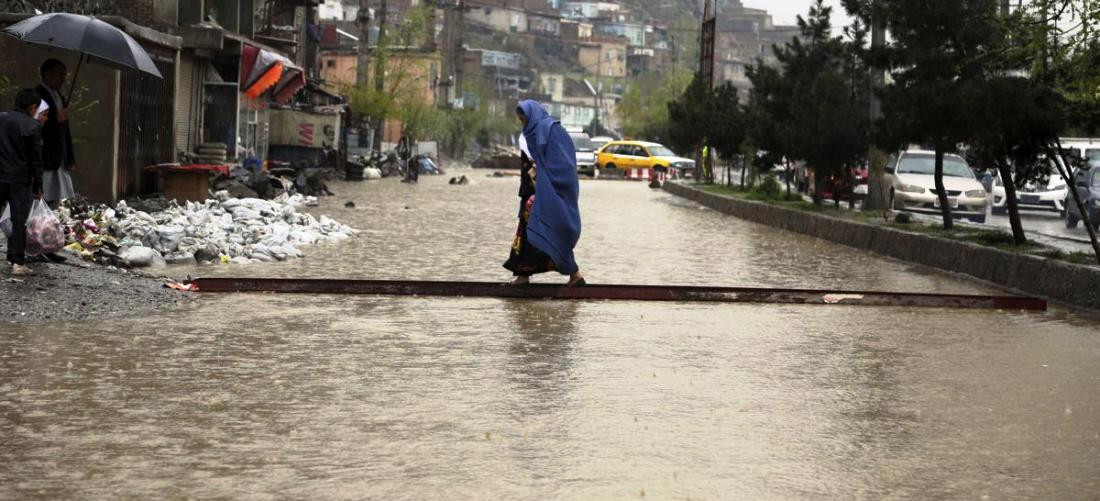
58 156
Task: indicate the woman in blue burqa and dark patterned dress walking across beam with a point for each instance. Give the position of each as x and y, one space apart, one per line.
549 219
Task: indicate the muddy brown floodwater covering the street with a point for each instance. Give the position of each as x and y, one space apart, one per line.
283 397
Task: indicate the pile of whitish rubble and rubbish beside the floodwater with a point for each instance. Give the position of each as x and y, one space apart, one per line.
221 231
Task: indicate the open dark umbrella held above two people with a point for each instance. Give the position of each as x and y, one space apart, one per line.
95 40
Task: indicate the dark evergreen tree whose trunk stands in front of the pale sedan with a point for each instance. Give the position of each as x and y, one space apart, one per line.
939 48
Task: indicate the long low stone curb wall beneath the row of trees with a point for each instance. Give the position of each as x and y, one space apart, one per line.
1063 282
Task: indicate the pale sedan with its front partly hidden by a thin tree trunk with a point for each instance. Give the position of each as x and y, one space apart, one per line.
912 186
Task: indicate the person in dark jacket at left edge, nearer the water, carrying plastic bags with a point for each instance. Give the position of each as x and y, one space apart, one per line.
20 171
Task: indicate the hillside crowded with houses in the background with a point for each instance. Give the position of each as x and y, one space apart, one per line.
578 57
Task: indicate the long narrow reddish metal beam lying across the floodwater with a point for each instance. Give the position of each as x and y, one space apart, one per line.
617 292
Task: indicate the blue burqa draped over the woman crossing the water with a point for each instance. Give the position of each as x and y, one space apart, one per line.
555 225
